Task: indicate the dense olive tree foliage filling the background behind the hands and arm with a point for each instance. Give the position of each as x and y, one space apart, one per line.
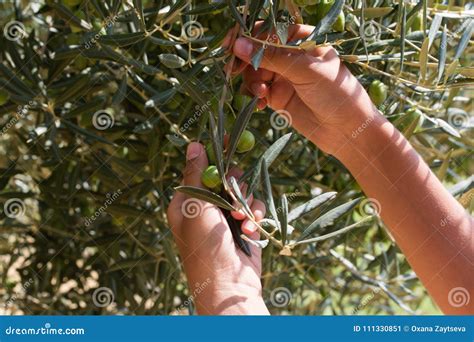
99 99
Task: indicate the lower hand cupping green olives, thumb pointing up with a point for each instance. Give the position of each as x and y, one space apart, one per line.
229 281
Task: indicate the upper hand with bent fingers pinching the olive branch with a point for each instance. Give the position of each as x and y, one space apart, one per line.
323 100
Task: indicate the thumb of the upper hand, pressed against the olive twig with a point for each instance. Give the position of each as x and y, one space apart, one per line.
288 63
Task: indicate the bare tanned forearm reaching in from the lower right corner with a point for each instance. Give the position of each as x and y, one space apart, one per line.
430 226
